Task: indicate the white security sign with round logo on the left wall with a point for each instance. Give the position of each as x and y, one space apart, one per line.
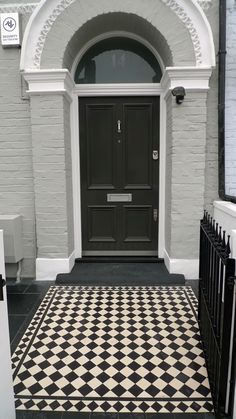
10 29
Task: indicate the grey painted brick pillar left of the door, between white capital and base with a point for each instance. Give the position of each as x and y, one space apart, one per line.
52 175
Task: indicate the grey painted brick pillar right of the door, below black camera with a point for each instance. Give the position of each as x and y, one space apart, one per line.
186 160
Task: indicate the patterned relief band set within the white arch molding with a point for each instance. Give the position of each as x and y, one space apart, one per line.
172 4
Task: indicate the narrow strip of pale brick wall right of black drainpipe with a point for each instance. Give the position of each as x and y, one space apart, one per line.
230 115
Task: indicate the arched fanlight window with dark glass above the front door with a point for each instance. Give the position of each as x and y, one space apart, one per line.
118 60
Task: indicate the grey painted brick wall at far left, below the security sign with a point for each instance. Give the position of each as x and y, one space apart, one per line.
16 177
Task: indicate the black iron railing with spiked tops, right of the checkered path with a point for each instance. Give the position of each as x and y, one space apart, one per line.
217 310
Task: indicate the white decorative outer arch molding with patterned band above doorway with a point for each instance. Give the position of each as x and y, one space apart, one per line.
189 12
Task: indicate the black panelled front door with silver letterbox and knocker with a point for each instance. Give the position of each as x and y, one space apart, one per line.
119 140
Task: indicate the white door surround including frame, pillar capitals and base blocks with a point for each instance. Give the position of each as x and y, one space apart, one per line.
60 82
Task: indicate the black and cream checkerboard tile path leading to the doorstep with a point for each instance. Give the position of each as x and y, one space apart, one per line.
113 349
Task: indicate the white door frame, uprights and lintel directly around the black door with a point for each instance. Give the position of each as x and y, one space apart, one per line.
106 90
